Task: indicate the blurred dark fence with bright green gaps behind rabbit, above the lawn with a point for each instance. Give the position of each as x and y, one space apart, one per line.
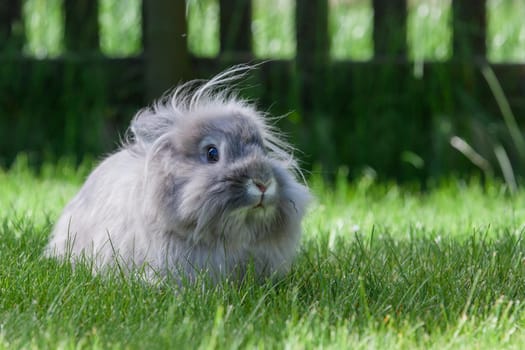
409 90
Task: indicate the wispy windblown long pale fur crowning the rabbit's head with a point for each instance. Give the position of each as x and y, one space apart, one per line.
149 134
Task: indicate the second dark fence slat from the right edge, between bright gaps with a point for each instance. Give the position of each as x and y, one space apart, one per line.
390 29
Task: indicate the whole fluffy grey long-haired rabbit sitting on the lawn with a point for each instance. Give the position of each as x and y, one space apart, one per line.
202 183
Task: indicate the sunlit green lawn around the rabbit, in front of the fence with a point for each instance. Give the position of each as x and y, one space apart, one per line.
380 266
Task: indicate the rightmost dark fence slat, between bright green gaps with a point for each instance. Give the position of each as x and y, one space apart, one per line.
469 28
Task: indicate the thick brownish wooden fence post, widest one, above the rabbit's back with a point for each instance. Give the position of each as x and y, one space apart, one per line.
167 61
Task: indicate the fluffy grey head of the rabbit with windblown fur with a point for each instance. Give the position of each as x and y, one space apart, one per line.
215 171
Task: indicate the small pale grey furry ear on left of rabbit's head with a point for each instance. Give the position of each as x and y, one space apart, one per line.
150 124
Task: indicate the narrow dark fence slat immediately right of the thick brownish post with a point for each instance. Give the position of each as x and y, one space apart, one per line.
235 27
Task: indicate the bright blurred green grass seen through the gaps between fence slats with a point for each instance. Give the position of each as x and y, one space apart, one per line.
350 25
